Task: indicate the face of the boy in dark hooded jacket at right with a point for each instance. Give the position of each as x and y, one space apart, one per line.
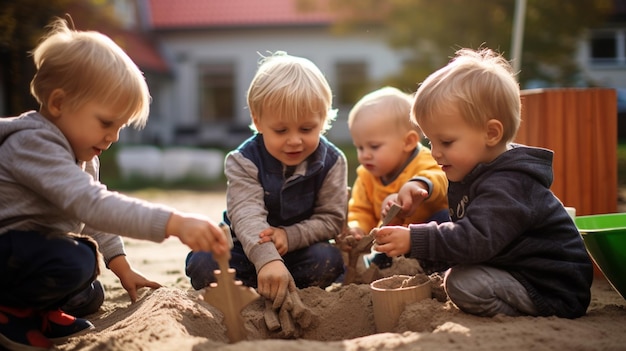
456 146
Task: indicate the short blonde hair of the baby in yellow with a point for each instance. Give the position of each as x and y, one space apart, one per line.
389 101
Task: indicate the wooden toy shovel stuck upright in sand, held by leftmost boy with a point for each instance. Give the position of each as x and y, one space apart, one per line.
229 295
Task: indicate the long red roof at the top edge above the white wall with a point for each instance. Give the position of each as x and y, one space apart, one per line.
167 14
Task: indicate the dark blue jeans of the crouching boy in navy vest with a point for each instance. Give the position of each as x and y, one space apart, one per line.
317 265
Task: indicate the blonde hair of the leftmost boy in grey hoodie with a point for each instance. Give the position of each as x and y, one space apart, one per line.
88 66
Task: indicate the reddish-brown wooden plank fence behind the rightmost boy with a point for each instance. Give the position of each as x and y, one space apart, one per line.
580 126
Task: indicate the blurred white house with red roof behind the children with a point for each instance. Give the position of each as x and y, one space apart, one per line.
212 49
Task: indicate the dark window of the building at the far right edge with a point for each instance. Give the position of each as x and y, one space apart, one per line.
608 47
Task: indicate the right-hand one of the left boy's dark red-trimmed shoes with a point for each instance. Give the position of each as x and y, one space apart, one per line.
58 326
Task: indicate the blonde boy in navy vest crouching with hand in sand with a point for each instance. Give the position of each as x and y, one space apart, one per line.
286 194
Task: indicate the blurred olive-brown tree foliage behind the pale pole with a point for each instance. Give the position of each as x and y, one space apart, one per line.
428 32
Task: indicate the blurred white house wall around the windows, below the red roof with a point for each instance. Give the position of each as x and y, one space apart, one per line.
186 50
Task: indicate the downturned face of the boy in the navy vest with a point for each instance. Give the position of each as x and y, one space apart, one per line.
290 141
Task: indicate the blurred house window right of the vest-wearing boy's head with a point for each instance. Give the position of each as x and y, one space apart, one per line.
351 82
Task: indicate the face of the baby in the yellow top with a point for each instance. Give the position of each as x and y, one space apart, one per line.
381 146
